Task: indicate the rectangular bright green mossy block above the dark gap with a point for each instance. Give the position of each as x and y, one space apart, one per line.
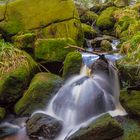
53 50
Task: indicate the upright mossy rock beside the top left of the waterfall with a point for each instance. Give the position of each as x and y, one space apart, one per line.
72 64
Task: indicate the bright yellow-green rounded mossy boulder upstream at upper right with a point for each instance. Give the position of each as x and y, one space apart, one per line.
106 19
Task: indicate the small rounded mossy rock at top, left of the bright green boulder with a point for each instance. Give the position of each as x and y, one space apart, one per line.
89 17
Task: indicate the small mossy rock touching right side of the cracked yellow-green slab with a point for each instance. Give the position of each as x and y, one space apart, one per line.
89 31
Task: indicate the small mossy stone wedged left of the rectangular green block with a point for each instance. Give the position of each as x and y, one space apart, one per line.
24 41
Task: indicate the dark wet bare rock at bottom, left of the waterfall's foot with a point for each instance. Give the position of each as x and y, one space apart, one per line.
42 125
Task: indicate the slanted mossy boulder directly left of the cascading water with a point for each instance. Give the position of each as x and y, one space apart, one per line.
42 87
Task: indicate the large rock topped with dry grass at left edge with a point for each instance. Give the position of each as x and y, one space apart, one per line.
17 69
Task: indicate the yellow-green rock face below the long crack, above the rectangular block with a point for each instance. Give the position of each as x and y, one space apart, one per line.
66 29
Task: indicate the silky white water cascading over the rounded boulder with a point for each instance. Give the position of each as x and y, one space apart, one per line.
85 97
